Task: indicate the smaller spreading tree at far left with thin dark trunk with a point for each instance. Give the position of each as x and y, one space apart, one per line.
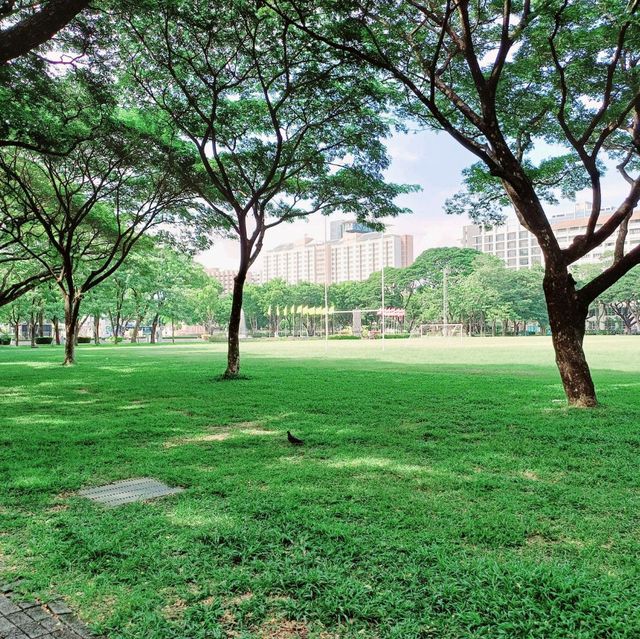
79 216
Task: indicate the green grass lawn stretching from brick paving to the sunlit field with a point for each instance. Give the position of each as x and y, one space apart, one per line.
444 490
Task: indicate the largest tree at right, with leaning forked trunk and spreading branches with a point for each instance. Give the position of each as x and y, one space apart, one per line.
500 77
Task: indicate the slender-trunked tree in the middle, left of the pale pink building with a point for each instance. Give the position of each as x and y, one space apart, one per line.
281 129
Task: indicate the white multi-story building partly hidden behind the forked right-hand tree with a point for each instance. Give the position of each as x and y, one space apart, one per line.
518 248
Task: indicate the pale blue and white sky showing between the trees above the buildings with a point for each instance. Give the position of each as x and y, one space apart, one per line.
432 160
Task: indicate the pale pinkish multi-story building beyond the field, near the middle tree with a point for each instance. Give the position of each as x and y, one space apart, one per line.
354 253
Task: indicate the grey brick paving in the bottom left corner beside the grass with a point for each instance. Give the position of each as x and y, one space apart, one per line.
34 620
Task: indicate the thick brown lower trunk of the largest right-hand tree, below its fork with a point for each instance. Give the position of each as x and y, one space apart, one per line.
567 318
